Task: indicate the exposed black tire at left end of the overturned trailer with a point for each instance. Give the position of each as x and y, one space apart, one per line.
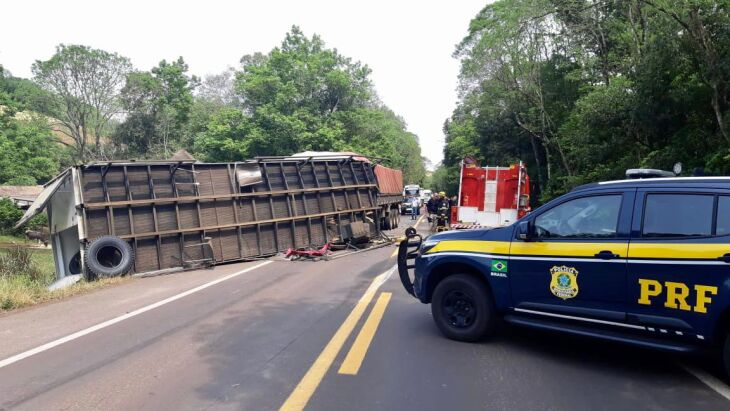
109 256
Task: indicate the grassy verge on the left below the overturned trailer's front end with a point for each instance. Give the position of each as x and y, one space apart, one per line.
25 275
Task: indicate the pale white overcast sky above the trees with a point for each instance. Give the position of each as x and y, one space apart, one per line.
407 44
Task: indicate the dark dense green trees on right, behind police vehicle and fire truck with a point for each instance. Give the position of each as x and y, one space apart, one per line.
581 90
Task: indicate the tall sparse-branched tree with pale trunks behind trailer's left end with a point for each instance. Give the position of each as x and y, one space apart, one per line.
86 83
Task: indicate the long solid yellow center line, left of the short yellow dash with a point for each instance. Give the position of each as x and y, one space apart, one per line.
299 398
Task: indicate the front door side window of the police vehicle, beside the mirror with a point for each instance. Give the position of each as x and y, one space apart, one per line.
587 217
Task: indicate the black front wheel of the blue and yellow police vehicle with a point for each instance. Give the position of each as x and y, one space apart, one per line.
463 308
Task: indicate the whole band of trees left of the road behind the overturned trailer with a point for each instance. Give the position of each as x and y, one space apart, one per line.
86 104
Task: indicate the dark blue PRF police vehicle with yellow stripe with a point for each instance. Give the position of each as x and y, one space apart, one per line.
644 262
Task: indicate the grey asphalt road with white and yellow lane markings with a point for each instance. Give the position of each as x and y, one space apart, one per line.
329 335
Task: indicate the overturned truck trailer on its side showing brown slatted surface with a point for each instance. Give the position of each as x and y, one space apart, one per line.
144 216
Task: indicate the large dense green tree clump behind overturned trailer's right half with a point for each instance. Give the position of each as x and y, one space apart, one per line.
303 96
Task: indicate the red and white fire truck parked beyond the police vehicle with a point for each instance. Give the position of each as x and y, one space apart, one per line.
490 196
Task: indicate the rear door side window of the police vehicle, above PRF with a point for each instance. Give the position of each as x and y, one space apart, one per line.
678 215
